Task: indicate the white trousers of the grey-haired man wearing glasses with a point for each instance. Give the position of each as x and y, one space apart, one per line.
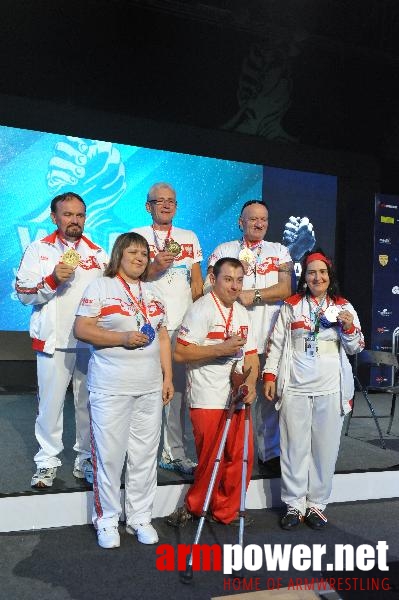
174 426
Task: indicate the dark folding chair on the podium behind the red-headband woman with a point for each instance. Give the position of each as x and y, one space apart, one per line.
373 358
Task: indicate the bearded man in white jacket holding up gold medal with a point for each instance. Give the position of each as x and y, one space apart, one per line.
52 276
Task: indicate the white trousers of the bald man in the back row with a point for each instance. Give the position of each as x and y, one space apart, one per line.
267 422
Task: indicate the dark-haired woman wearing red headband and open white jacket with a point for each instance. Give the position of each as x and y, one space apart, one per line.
308 370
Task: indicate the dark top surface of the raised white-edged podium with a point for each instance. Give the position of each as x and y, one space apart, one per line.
360 451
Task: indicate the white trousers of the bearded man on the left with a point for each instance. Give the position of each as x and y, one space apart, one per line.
54 372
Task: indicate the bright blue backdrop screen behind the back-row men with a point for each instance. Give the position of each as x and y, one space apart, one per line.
114 179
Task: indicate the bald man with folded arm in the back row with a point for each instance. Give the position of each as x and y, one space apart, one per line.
267 281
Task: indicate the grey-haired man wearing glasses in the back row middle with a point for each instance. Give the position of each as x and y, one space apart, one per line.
176 274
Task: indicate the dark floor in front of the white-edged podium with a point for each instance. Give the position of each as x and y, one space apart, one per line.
67 564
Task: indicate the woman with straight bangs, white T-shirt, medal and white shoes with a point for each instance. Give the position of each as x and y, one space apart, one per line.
129 380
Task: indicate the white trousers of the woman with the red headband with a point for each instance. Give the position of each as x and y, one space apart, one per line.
310 430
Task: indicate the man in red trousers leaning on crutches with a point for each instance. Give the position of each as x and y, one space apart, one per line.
215 334
